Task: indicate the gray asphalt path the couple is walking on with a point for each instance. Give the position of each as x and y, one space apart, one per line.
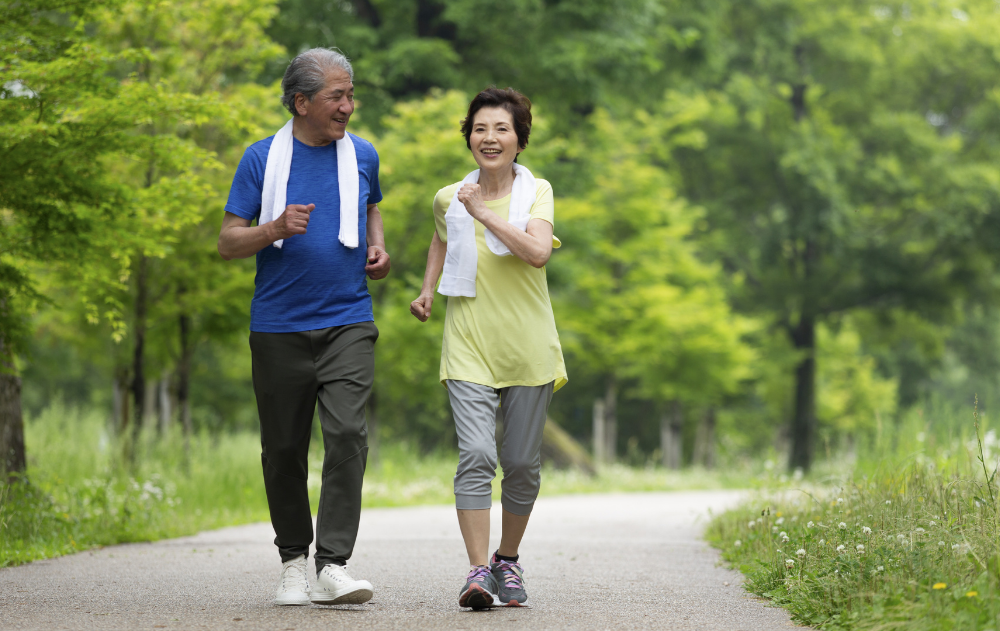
629 561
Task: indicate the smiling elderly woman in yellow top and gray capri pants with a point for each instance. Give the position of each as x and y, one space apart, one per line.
500 350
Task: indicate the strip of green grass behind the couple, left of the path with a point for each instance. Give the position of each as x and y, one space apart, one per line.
78 494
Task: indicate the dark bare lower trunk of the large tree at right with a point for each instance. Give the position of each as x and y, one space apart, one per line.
803 431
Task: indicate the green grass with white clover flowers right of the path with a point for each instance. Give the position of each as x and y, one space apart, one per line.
914 546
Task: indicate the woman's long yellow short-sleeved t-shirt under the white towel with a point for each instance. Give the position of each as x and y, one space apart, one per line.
506 335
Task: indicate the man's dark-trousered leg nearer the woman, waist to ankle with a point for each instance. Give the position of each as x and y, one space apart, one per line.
346 369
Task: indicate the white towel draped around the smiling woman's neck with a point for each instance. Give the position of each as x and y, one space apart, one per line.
461 258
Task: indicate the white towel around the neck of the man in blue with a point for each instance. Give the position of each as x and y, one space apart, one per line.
279 163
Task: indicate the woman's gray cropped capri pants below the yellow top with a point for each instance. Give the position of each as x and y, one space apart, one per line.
523 410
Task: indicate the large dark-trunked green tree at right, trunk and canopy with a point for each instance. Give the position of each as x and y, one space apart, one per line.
823 172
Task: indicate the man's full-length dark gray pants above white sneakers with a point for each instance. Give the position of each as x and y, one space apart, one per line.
291 371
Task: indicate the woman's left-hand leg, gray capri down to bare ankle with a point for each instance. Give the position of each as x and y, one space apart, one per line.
474 408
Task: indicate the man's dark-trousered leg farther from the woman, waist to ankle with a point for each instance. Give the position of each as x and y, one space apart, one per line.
285 384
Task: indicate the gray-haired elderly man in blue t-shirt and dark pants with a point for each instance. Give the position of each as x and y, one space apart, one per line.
314 190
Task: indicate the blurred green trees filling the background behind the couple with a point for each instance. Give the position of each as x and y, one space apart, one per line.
779 218
